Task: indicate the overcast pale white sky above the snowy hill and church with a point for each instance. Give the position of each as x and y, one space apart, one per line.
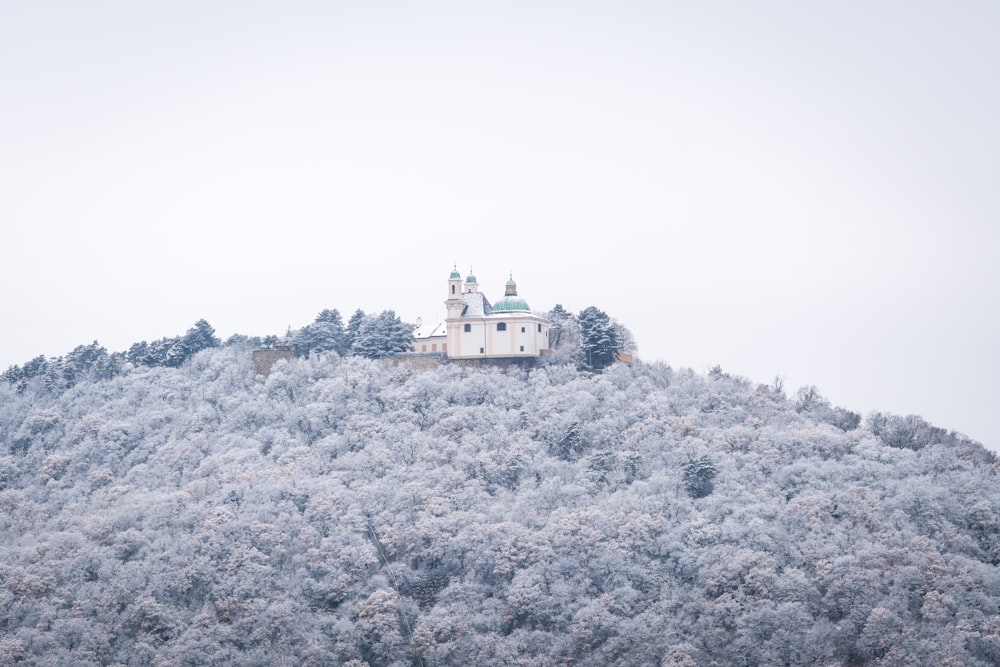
802 189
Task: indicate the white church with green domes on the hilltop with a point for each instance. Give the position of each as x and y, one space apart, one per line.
476 329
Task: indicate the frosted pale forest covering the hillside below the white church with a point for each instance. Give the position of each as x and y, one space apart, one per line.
353 511
